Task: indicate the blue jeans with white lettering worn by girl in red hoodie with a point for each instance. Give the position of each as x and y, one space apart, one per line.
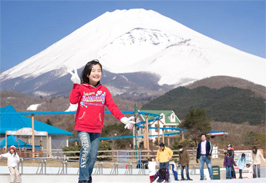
88 153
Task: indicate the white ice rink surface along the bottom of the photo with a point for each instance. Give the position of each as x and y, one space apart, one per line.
121 178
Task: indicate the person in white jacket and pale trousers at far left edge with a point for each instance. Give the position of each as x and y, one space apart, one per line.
12 163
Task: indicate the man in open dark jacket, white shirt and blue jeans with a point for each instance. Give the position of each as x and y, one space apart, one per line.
204 152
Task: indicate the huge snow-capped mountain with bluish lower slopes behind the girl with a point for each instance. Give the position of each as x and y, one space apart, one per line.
140 50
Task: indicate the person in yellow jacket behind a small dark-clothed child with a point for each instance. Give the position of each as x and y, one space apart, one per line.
164 154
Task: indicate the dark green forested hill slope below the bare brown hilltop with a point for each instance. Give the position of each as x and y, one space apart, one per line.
228 104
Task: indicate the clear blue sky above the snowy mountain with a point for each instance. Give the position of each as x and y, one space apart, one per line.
28 27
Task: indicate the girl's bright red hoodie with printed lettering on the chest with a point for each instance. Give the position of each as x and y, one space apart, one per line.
91 101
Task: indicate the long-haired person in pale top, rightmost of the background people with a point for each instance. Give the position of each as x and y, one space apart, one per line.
256 155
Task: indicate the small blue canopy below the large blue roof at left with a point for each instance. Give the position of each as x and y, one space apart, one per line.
13 140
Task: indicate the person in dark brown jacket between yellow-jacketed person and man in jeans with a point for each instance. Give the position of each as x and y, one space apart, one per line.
184 161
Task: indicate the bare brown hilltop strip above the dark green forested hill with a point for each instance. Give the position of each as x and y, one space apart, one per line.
218 82
